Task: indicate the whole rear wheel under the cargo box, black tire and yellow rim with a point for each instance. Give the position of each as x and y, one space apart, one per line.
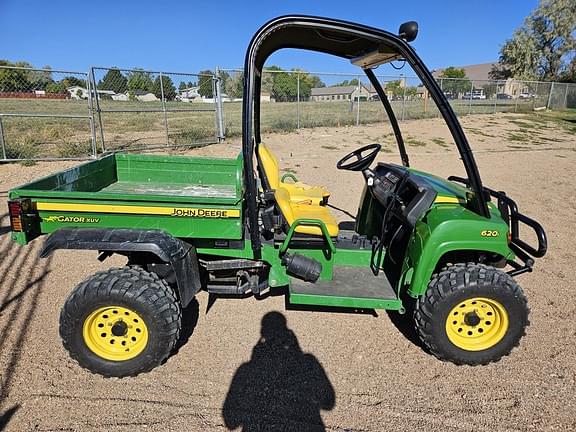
120 322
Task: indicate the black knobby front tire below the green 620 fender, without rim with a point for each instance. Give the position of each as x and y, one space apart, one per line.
455 285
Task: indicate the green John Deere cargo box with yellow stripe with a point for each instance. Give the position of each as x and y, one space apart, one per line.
183 196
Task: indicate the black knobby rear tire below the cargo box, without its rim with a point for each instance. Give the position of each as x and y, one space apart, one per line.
136 290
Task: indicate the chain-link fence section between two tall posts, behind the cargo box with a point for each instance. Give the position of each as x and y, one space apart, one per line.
136 109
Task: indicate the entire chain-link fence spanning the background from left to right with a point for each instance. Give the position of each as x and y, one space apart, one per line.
54 114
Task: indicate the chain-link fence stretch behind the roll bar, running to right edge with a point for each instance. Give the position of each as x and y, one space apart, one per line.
296 99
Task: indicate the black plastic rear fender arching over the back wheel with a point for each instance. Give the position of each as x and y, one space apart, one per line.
180 255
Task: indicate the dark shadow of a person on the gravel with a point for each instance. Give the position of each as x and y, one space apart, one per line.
281 387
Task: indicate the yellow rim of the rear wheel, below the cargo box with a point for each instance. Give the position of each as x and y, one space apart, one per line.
115 333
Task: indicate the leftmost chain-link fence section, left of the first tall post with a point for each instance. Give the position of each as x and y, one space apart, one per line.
42 116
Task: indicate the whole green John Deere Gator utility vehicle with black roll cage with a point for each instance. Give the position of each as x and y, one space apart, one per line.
444 249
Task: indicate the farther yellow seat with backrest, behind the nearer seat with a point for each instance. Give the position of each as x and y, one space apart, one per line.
298 192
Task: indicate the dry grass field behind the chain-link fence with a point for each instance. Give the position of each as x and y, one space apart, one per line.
134 124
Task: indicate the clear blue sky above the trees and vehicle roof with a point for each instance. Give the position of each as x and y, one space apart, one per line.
189 36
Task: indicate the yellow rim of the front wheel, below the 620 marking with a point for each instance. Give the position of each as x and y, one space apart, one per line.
477 324
